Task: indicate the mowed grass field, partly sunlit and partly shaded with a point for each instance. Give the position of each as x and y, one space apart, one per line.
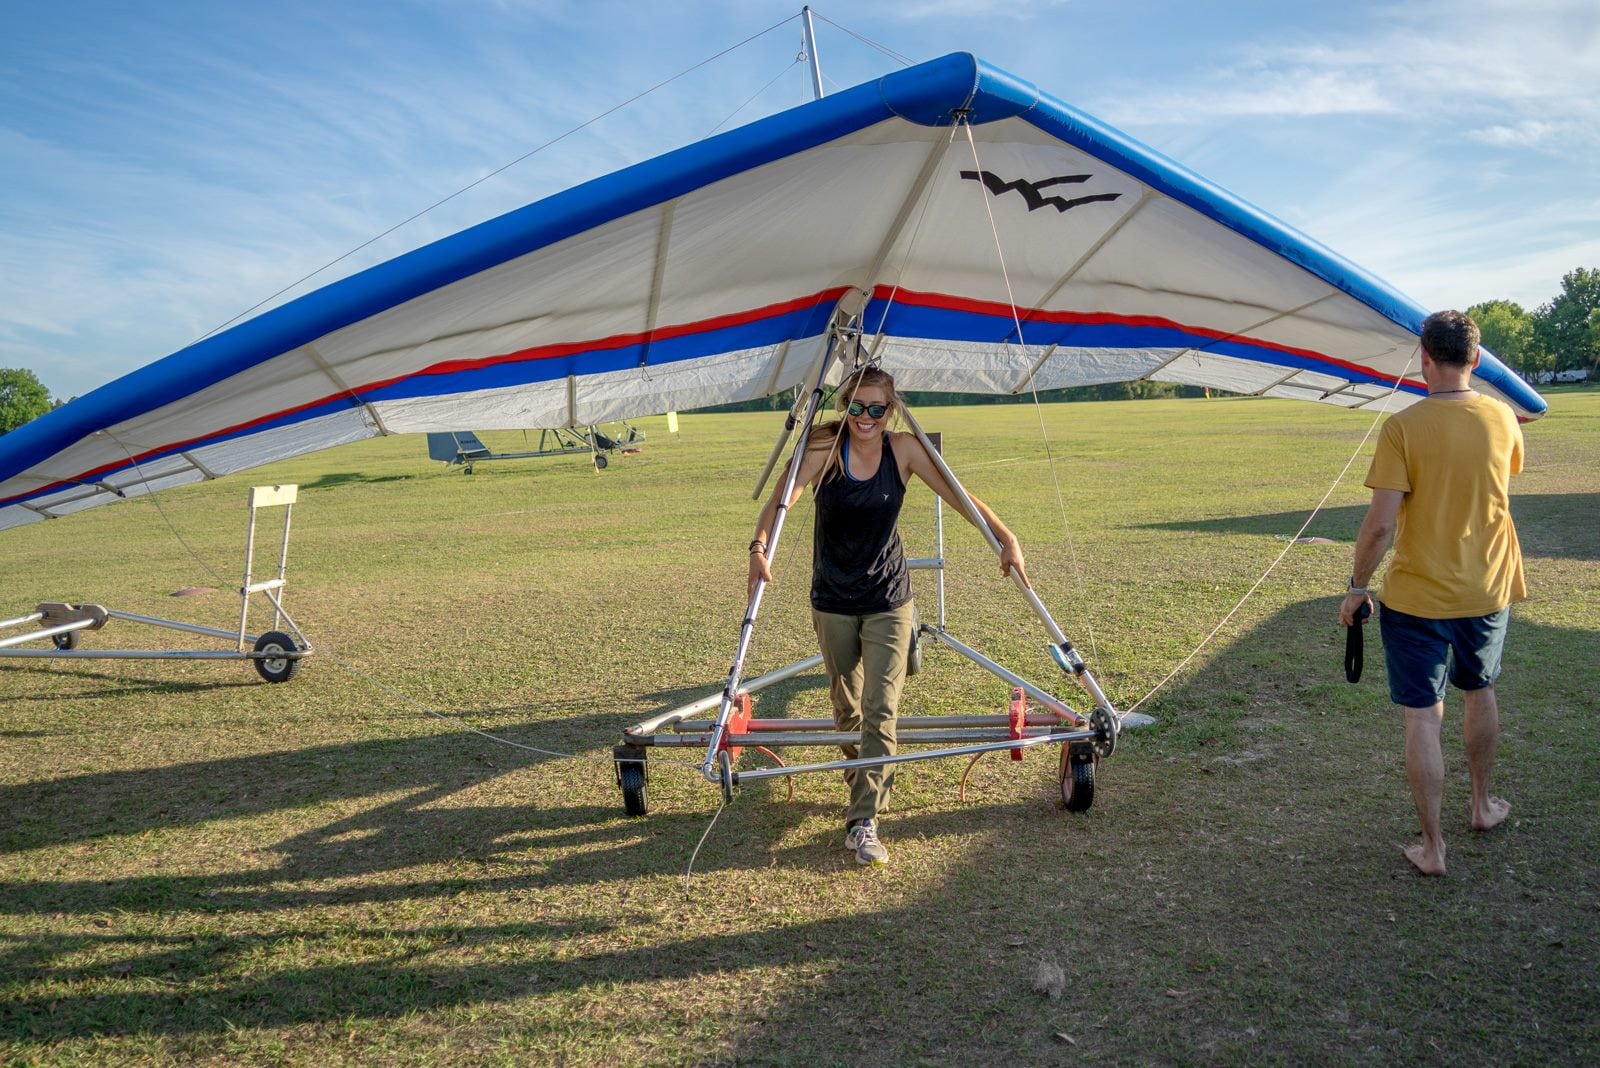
201 867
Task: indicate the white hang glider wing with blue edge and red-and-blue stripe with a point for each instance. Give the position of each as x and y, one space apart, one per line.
985 236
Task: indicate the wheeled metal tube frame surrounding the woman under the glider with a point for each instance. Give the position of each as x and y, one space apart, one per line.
1084 739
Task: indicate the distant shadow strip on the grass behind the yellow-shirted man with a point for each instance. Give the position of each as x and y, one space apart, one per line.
1548 525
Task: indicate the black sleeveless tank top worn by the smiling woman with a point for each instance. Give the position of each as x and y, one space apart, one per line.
858 564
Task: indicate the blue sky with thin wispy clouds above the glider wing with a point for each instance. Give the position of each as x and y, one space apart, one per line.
170 165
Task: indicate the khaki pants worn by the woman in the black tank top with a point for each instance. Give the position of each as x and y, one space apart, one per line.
866 667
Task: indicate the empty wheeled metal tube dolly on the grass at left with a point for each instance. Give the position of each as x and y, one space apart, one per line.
276 653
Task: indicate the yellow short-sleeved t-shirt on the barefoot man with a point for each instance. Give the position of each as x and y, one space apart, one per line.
1455 551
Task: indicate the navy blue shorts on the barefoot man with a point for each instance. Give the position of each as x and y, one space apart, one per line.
1418 652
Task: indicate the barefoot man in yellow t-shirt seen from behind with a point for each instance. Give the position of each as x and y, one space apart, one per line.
1439 485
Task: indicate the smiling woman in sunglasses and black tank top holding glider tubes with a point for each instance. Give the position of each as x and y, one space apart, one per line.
862 604
